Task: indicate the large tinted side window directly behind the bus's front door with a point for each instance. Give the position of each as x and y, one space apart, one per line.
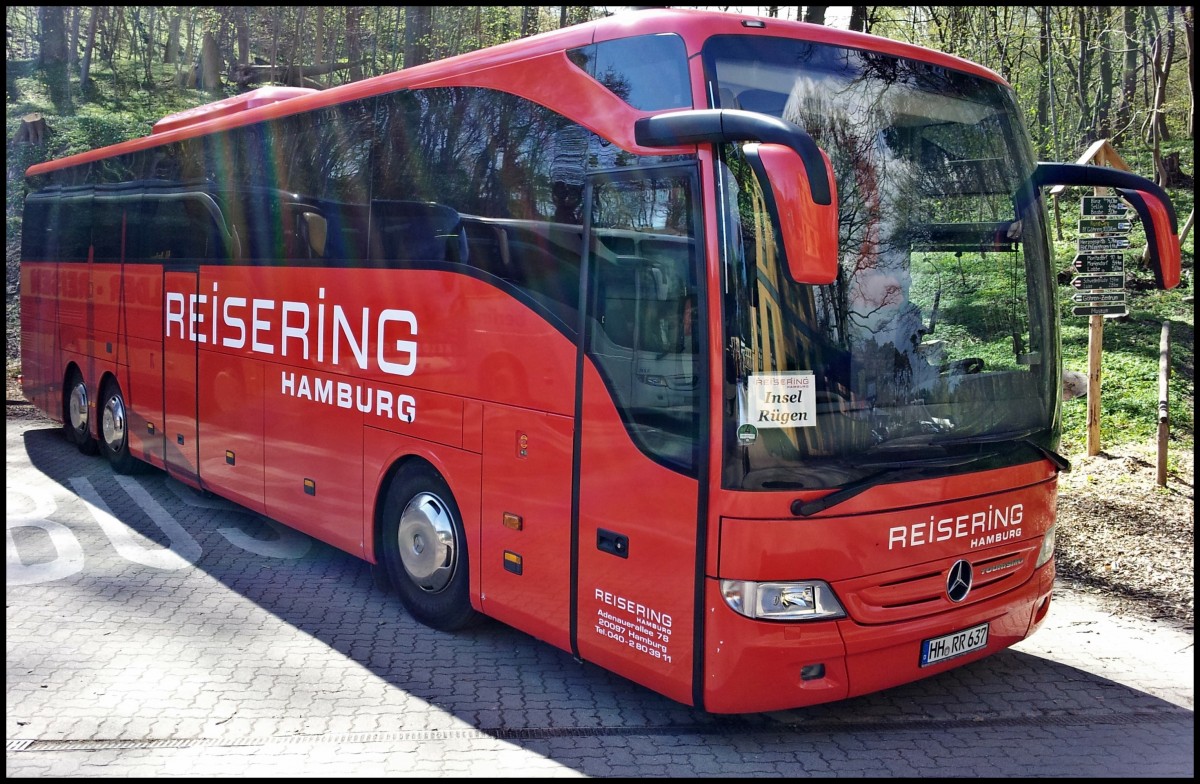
485 179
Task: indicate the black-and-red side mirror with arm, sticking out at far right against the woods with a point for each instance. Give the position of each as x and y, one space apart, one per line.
1150 201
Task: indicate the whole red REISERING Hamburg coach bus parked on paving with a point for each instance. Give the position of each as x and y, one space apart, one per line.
721 352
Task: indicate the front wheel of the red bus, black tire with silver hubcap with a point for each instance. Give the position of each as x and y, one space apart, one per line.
425 549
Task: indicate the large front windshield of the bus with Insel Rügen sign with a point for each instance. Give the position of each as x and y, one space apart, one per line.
939 338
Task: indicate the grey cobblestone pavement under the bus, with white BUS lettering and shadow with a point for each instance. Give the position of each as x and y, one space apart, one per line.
155 632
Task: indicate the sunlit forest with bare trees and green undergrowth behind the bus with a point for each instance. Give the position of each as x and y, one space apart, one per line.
82 77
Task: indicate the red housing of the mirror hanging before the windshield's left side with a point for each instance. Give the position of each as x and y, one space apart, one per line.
809 231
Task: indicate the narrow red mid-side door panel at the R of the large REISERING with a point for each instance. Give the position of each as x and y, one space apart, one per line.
179 376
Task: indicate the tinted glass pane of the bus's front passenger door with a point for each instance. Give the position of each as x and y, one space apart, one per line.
644 306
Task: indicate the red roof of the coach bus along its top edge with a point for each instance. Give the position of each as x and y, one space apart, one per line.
469 70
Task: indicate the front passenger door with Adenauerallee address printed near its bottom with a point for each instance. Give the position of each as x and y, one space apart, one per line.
638 553
